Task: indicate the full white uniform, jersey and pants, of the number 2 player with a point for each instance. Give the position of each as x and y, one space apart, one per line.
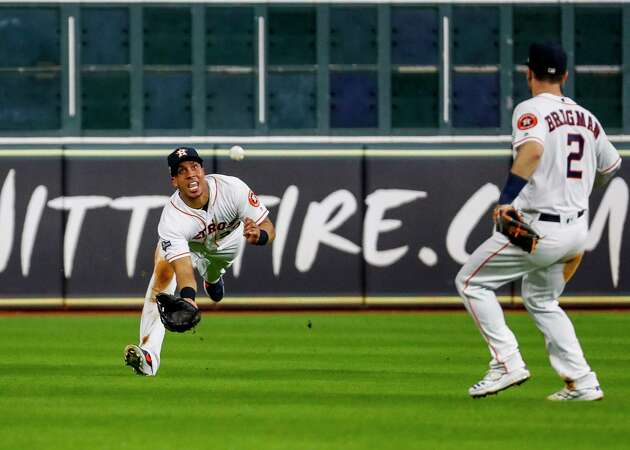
555 203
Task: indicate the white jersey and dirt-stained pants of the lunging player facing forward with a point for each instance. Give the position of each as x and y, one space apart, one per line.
212 238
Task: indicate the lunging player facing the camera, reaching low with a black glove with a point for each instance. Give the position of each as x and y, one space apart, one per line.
203 226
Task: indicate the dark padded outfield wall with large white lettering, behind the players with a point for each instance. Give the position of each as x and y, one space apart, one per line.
356 225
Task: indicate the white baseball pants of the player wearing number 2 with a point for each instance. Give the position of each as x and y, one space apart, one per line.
544 275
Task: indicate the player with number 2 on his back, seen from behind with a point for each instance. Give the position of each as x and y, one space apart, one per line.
560 150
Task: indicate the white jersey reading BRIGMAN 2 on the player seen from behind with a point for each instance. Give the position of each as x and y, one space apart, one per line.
576 146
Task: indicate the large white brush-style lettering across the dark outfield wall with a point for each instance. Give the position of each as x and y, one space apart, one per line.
320 226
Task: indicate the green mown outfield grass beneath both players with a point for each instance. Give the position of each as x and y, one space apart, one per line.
351 381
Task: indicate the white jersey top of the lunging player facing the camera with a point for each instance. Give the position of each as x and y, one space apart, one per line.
183 230
